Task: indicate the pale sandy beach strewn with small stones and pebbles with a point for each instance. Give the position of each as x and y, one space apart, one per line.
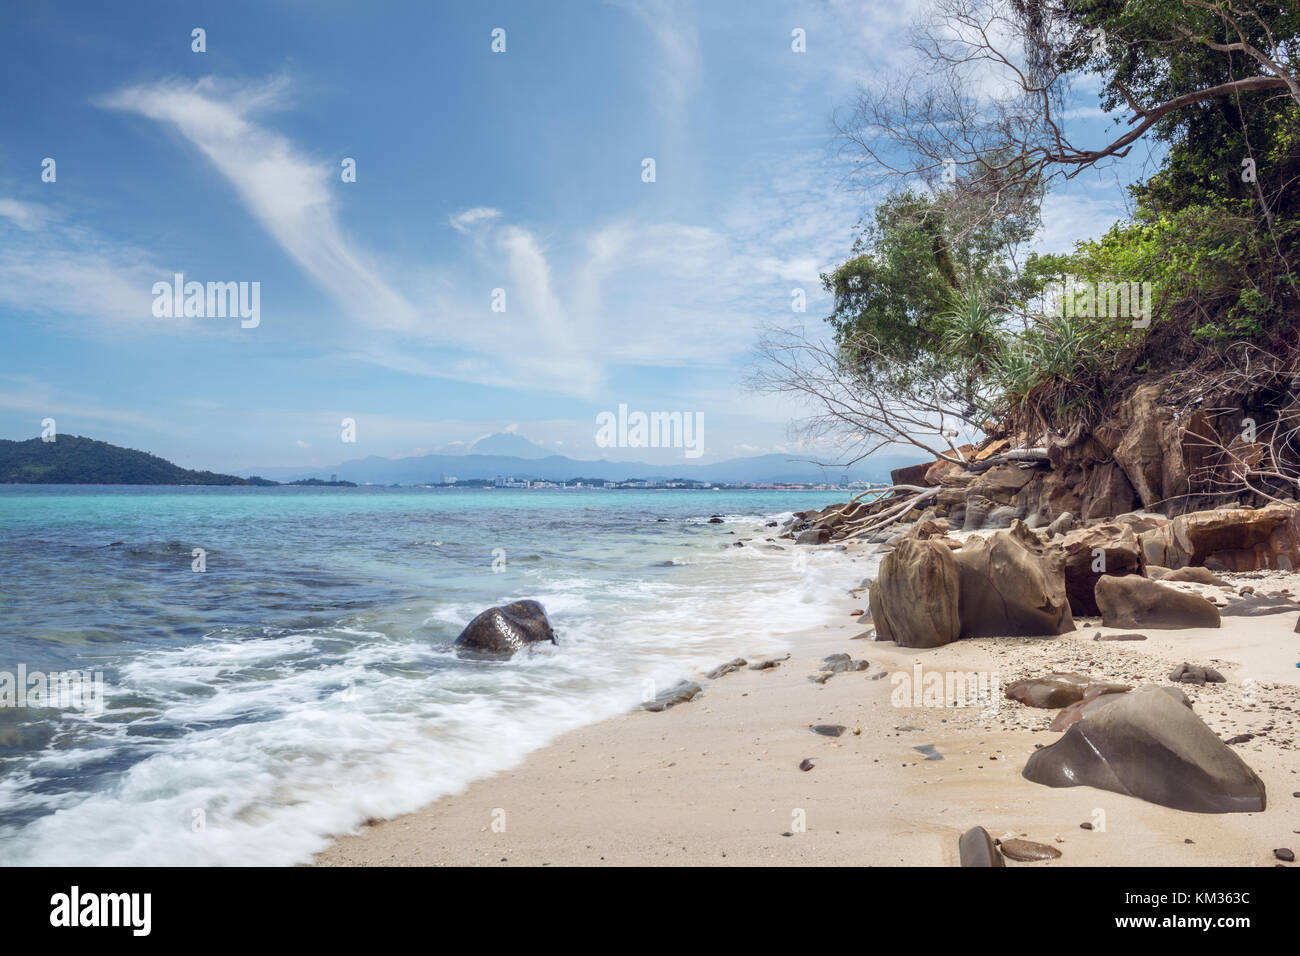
717 781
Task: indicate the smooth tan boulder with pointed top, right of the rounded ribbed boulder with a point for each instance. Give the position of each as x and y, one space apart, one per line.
1009 589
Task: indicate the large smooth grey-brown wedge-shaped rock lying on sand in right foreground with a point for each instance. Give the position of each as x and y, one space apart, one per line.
1149 746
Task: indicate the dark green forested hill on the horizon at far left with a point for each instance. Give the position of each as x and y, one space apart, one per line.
75 461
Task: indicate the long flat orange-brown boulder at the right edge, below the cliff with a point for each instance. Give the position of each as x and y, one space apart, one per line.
1237 538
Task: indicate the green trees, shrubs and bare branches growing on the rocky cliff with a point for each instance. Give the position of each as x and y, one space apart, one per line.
944 332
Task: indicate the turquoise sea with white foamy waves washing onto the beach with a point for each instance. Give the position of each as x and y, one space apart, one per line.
305 681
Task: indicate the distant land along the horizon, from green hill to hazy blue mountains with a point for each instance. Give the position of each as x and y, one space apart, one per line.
73 460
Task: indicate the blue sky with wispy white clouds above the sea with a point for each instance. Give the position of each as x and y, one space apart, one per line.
522 171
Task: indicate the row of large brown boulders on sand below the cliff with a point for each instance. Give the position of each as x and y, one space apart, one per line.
934 589
